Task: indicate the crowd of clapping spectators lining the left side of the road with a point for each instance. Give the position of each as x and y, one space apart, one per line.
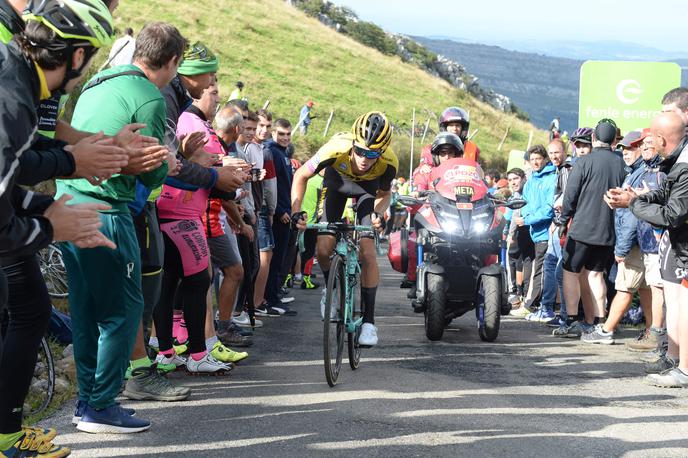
163 195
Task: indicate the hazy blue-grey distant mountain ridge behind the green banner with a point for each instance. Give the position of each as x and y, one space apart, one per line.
542 85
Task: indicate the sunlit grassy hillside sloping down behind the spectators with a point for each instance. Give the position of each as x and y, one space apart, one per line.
284 56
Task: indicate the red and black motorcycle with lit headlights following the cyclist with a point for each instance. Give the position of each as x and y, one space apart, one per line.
458 232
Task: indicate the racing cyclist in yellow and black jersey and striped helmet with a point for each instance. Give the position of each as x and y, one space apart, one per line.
357 165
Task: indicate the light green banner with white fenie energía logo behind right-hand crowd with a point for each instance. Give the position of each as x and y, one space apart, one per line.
630 93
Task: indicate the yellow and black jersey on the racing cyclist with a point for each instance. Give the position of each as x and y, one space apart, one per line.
336 153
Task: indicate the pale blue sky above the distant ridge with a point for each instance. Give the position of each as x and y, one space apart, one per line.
661 24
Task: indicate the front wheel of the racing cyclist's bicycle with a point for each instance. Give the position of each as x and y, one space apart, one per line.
333 321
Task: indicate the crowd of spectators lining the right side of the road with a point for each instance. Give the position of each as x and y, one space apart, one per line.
603 231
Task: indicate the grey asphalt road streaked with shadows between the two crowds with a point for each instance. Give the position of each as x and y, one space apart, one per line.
527 394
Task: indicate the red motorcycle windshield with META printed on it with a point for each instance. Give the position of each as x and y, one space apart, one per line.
459 177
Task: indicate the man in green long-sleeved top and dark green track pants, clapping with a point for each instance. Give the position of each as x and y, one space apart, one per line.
106 302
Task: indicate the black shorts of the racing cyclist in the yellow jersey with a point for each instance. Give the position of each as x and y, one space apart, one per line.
337 189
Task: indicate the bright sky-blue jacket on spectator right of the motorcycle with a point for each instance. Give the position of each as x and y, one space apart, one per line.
539 193
